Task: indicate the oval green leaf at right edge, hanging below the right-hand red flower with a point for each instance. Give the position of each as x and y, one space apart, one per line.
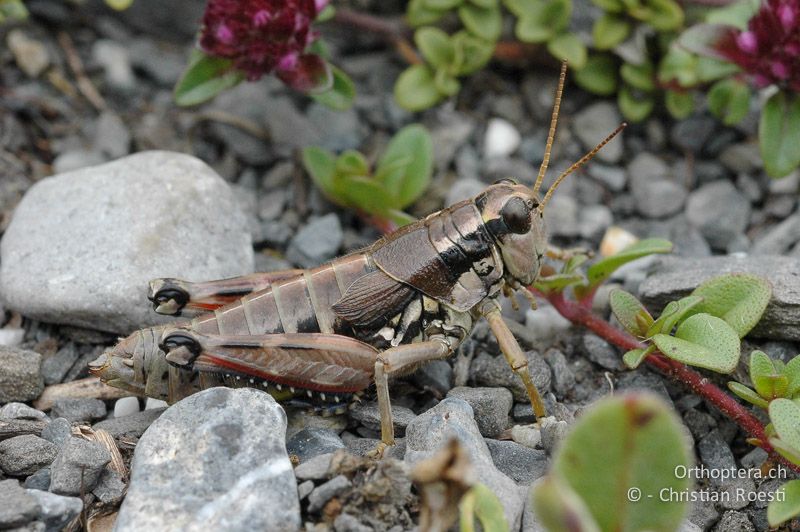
778 131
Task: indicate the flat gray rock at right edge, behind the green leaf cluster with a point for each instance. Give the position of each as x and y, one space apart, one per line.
676 277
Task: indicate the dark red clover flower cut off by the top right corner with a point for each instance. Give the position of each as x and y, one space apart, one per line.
769 50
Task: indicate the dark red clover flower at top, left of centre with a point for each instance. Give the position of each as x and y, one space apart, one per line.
266 36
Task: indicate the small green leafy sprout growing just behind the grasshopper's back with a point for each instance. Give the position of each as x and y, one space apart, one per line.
400 176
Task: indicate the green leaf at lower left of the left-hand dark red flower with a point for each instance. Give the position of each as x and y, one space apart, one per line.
204 78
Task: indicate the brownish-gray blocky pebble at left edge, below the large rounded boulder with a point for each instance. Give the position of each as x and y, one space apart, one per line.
20 377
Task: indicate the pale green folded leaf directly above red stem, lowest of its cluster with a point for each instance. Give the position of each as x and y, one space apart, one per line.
704 341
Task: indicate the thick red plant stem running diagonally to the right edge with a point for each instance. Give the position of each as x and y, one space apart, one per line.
581 314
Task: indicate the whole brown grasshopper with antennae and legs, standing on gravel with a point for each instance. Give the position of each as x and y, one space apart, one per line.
322 336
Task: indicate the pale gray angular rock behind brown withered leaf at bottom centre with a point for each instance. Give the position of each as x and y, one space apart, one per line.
453 418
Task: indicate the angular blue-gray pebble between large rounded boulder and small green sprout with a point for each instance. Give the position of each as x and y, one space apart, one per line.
317 242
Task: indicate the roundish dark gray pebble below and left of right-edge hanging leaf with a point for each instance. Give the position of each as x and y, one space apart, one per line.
719 211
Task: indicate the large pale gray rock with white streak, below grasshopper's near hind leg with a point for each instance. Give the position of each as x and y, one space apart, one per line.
215 460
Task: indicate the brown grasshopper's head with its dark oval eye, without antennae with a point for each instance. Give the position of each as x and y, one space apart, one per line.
511 214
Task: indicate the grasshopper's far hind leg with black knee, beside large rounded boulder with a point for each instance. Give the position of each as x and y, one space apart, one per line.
173 296
